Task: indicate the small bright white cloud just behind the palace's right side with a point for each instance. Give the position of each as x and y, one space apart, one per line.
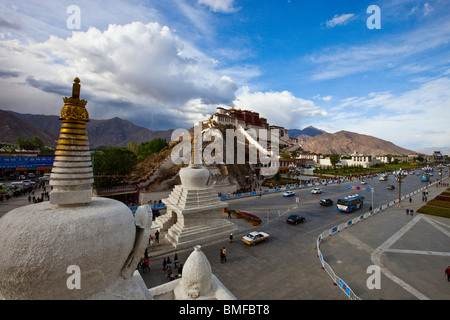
280 108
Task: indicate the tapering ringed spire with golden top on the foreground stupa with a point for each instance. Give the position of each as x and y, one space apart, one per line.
72 175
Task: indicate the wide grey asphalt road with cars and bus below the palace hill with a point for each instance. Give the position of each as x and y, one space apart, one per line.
286 266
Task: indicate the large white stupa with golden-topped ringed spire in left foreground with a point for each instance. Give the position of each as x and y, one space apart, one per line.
73 246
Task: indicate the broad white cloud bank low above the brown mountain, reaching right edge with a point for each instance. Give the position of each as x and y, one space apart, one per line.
413 119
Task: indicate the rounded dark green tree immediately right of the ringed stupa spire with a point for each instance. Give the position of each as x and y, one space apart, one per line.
111 166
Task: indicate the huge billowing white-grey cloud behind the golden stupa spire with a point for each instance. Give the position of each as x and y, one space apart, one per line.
137 71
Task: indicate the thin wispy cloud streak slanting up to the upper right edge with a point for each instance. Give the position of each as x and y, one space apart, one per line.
390 52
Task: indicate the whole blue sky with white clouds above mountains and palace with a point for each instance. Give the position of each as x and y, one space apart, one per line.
165 64
